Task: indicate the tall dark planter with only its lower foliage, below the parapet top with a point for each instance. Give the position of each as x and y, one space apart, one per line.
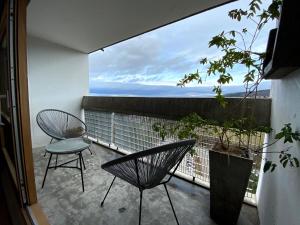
230 159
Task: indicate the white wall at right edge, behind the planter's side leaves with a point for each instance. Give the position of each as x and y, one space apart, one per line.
279 197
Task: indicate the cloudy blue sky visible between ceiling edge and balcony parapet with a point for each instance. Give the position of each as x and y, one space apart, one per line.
158 59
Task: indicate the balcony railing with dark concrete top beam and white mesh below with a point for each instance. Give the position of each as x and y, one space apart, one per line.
125 124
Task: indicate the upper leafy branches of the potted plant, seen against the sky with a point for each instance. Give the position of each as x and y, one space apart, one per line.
237 48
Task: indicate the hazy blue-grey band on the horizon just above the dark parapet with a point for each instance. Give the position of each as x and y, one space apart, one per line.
133 89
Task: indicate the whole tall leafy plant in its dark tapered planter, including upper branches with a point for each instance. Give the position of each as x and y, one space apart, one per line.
230 162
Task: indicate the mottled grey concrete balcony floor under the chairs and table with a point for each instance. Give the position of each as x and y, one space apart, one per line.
64 202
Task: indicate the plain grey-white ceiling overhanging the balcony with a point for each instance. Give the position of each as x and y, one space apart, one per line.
89 25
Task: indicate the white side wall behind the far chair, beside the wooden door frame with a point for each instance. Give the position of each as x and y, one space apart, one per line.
58 78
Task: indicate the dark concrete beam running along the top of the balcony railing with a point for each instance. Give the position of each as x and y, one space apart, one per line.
176 108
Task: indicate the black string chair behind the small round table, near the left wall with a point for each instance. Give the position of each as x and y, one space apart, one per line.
60 125
